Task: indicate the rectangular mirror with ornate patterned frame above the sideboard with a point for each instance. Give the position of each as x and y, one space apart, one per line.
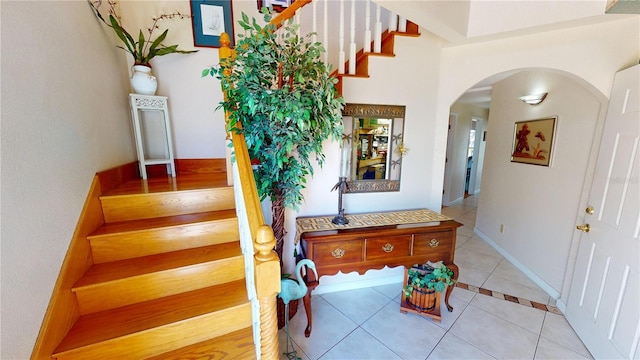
375 135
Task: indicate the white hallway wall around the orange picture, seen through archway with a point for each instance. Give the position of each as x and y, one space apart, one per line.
536 204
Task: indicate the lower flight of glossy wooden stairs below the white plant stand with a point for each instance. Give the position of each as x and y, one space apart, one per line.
168 277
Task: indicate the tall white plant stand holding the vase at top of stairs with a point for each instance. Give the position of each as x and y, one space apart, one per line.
152 130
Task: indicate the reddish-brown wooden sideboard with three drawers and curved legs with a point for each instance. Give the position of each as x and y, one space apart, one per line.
362 249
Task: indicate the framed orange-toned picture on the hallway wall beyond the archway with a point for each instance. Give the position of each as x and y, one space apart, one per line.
533 141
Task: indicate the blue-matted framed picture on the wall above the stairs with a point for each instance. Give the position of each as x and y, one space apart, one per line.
210 18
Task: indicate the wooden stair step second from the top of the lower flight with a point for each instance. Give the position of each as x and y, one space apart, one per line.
137 238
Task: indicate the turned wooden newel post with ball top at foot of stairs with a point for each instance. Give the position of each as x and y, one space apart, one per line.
267 273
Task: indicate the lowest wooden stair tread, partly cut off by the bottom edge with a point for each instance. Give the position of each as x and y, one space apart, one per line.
236 345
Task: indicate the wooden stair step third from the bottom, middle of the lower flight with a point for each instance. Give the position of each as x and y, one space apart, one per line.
124 282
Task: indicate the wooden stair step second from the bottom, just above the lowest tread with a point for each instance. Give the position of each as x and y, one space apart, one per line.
154 327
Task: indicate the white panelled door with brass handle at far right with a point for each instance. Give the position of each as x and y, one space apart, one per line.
604 300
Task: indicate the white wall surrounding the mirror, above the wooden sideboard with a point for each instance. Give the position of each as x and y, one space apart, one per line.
388 87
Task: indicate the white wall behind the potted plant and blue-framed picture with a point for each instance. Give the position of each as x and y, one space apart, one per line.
198 129
